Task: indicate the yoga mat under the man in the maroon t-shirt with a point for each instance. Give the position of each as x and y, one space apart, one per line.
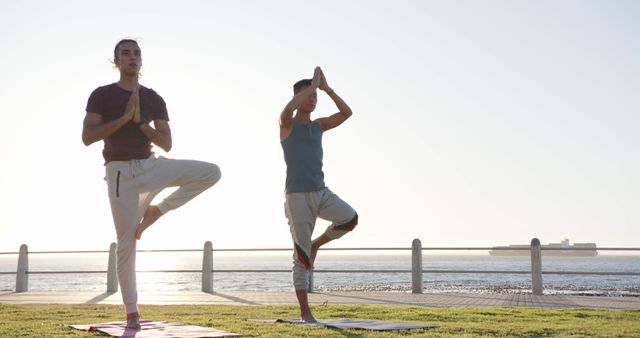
154 329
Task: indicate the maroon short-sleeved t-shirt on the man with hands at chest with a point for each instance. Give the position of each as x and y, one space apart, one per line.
128 142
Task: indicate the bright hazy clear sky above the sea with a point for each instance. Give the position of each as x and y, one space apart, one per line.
475 123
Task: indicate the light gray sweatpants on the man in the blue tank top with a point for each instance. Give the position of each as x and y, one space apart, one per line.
302 210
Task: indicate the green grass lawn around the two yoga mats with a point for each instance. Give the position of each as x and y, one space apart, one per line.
50 320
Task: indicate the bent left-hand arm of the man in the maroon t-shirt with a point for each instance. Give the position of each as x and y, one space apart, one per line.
94 130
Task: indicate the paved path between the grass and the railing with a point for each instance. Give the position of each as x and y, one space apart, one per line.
353 297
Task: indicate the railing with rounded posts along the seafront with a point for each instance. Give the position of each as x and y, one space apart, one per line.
22 273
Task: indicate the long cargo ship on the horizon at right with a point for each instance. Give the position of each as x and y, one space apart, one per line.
563 248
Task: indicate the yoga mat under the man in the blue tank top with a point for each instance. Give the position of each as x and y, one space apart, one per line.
363 324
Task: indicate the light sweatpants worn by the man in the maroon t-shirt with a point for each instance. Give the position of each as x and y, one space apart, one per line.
132 185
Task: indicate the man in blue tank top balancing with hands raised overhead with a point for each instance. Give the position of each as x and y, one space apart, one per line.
306 196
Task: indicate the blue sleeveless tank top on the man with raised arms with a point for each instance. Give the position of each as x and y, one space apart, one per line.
303 156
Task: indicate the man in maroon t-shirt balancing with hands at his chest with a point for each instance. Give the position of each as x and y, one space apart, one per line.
129 118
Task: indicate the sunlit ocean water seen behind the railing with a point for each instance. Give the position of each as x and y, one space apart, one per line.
609 285
